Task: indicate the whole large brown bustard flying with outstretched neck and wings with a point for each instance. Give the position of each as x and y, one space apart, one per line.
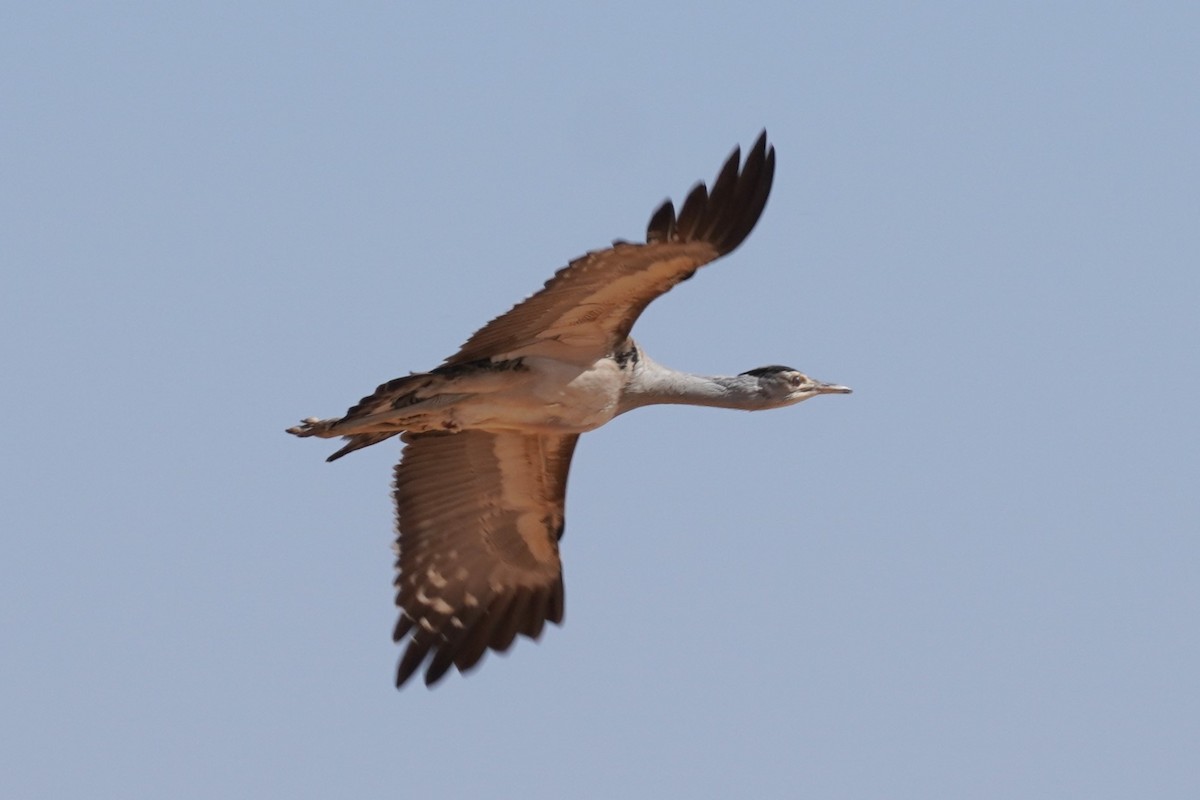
489 435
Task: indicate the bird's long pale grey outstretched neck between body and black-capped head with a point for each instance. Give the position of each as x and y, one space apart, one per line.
652 384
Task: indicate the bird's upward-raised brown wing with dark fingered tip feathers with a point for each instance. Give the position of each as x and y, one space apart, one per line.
587 310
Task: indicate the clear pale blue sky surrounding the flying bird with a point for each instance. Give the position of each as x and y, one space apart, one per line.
975 578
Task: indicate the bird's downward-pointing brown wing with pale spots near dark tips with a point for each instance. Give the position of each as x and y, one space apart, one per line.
479 516
